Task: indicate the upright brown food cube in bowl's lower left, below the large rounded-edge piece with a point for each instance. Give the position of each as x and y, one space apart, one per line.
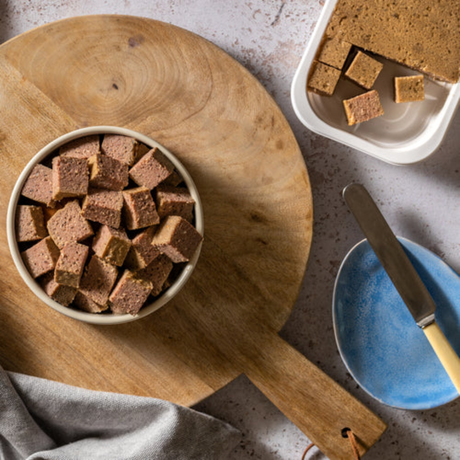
70 264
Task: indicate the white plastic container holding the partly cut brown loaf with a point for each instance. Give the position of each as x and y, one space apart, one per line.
407 133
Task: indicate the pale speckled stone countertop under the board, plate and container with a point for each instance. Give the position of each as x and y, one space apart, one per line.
420 202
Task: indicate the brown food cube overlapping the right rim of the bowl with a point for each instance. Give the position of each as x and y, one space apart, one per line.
177 238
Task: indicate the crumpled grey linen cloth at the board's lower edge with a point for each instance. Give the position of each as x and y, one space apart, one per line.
46 420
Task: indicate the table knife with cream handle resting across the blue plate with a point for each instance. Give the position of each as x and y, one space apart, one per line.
402 274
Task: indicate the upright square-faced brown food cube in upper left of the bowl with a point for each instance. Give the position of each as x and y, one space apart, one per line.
70 177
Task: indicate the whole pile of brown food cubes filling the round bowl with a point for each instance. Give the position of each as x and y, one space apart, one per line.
106 224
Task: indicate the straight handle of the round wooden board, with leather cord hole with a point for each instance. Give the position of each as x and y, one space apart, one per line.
309 398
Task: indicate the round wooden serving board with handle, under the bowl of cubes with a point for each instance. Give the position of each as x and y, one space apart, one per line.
213 114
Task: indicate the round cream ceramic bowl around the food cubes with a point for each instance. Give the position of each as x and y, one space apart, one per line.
103 318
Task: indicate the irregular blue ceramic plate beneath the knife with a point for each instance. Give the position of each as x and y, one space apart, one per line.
379 341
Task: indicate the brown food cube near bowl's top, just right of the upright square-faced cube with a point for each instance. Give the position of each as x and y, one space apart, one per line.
108 173
